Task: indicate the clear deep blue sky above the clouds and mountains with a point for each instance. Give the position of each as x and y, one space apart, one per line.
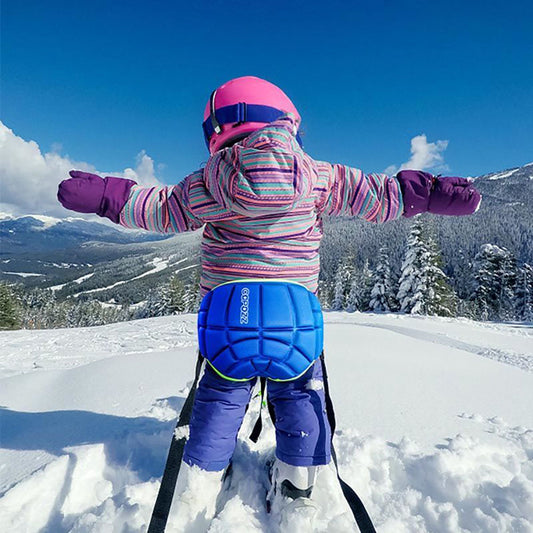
101 81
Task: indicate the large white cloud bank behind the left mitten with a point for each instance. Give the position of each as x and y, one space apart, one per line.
29 178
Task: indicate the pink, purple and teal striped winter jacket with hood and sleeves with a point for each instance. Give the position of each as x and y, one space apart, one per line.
261 202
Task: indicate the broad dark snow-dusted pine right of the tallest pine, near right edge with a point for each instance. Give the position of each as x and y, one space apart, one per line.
495 276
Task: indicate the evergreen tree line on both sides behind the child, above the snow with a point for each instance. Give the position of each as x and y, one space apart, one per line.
490 286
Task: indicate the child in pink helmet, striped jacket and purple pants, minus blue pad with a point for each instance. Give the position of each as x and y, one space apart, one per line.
261 199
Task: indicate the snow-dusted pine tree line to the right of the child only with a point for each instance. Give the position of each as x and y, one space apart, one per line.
492 286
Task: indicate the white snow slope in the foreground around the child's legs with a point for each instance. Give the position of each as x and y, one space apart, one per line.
435 421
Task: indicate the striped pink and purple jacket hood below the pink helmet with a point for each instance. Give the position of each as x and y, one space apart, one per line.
266 173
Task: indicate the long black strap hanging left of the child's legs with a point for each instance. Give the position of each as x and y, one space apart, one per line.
163 502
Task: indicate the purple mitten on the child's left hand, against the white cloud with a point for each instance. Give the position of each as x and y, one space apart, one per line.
88 193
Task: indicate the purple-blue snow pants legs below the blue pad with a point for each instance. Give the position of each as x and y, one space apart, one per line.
303 435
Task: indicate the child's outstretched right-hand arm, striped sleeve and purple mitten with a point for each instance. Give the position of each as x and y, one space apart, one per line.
379 198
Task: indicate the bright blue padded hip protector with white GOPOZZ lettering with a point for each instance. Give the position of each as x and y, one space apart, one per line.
268 328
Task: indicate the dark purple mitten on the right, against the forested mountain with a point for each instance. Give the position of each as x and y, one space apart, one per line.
423 192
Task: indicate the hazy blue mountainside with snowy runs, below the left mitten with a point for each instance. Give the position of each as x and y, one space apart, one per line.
75 257
